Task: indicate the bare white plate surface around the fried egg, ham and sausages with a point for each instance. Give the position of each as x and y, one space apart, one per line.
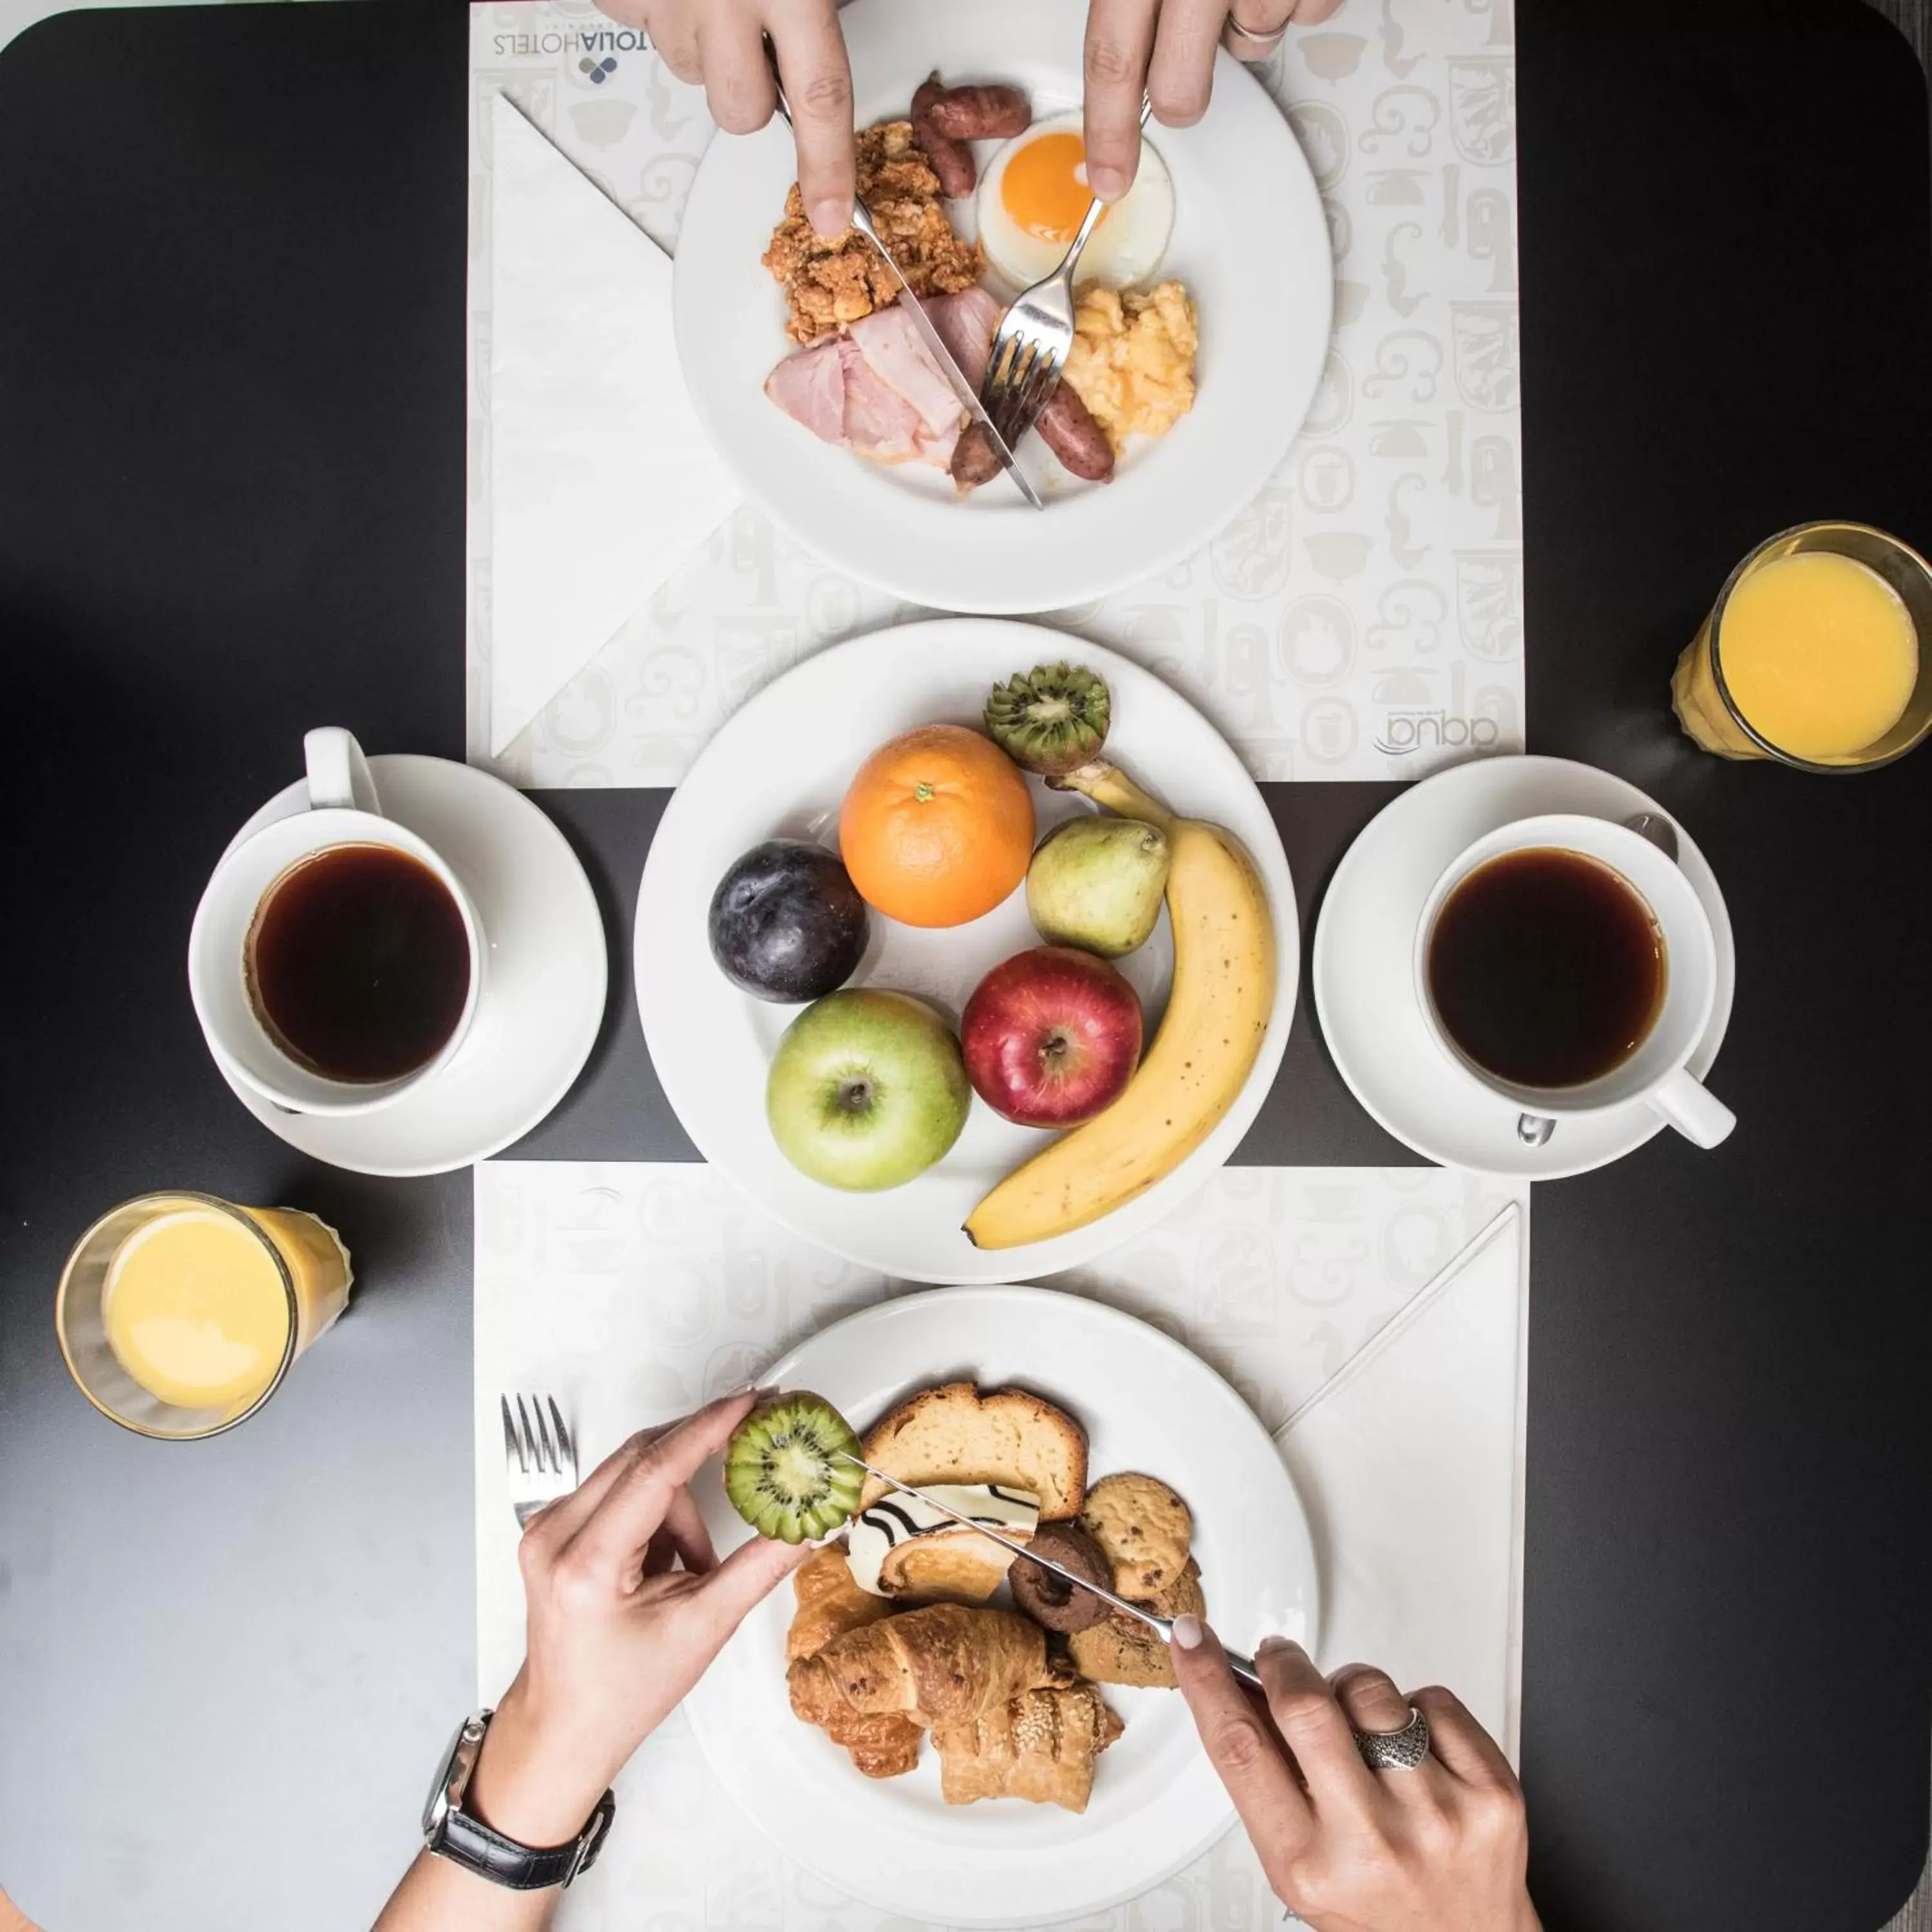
1249 242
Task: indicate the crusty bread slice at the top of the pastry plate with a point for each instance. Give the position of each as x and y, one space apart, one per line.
963 1435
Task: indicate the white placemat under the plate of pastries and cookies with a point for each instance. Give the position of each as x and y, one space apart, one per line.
637 1292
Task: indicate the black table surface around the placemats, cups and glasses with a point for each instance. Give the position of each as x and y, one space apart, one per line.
231 507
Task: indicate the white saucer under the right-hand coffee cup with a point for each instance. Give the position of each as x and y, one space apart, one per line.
1365 969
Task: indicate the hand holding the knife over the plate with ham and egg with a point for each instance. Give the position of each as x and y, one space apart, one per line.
722 43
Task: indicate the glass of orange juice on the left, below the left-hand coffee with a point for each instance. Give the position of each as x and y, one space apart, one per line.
179 1313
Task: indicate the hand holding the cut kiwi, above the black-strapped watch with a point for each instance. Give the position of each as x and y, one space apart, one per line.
619 1632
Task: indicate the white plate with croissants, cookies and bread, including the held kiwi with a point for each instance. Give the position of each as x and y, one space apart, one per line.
977 1749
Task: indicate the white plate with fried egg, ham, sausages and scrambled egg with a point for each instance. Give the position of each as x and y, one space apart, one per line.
1203 331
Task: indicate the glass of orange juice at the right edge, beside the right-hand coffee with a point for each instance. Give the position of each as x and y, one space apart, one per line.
1819 654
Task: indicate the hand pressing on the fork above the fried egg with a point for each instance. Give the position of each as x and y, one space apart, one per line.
1164 49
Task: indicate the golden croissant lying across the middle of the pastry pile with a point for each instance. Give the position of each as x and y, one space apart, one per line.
946 1664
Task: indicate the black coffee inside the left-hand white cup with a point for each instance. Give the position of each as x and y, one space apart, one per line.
358 963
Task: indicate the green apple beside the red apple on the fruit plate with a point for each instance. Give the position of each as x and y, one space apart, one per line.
867 1091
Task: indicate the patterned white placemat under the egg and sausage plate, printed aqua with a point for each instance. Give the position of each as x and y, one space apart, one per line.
1361 621
